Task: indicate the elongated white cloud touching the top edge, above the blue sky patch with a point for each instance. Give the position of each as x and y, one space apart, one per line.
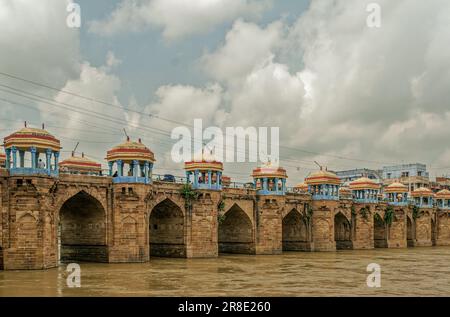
177 18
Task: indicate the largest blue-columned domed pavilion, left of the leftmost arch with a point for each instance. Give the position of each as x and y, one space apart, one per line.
32 142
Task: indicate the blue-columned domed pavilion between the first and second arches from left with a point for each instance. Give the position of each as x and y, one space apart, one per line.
130 162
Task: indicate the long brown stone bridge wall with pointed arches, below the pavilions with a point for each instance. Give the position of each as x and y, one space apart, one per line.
46 220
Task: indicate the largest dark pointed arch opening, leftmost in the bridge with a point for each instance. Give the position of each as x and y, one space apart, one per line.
82 229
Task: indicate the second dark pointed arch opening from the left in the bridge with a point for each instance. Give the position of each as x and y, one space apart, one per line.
167 237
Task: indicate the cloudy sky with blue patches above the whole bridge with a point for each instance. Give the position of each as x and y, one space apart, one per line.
342 93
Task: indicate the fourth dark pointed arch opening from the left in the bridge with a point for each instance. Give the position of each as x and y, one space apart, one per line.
295 230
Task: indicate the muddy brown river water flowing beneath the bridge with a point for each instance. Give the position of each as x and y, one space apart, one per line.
406 272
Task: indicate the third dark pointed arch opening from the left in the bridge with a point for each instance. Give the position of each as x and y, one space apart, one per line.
236 234
